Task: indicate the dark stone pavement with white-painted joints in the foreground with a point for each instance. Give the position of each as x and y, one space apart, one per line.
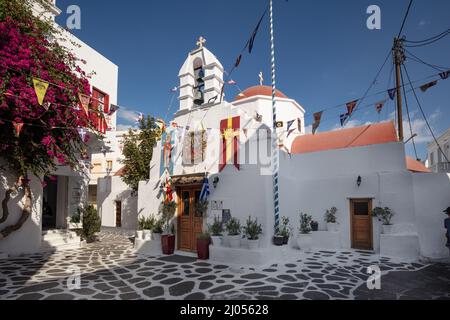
111 270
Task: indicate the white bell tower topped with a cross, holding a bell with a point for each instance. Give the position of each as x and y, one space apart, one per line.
201 78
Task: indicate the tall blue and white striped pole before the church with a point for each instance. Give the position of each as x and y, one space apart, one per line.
275 151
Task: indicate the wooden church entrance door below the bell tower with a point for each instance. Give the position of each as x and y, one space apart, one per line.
190 224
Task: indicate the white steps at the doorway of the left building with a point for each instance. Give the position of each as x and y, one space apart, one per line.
59 240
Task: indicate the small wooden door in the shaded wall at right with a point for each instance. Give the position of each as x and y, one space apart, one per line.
361 224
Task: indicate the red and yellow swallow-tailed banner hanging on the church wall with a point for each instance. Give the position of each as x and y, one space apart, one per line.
229 129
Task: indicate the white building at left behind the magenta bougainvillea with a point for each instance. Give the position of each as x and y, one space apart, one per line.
68 189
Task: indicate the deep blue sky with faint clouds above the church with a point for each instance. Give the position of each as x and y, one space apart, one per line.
326 56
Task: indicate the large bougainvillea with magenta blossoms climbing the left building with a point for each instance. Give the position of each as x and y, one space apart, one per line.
49 133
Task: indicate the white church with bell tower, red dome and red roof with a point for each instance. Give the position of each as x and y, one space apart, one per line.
353 170
